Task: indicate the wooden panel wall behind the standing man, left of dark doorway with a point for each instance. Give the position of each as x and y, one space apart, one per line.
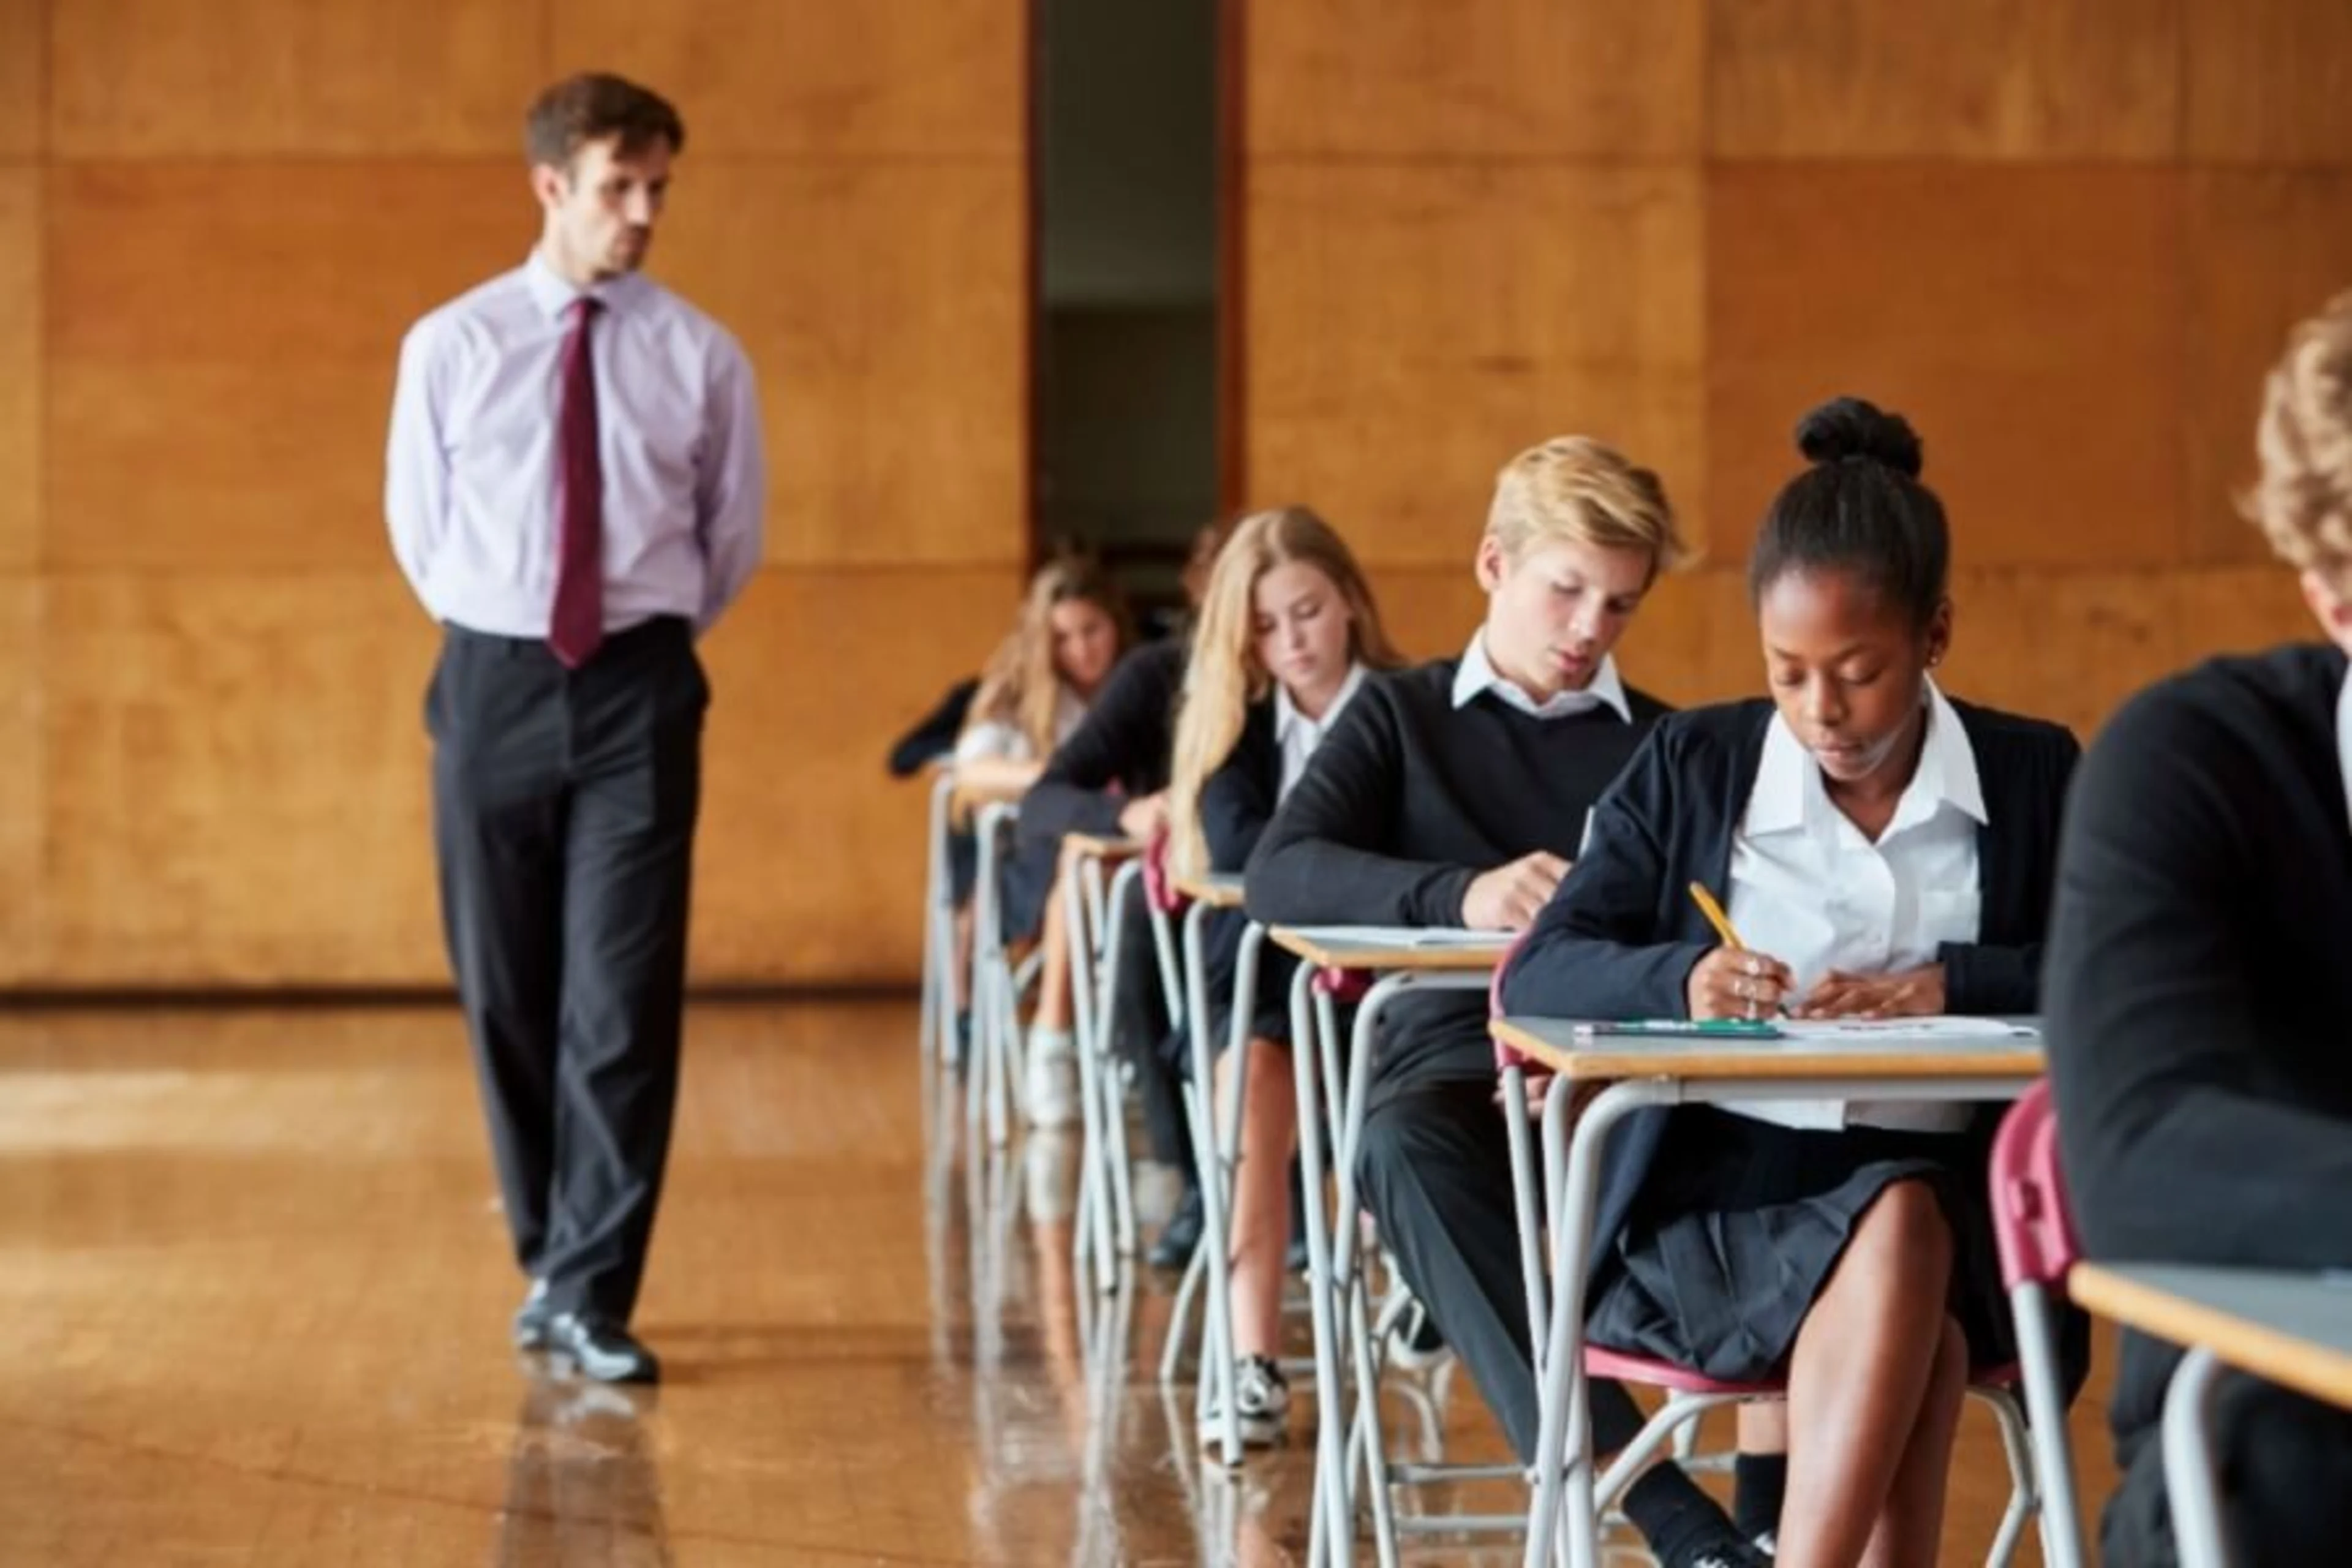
215 225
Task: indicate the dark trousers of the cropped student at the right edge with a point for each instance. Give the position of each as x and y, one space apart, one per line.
2285 1482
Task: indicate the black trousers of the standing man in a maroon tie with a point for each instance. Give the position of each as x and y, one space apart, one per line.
563 817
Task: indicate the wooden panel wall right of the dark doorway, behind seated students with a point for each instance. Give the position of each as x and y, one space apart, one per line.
2062 239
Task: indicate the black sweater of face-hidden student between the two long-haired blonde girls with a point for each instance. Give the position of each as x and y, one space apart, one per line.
1118 753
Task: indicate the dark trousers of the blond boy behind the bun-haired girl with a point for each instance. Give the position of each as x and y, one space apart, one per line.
1436 1174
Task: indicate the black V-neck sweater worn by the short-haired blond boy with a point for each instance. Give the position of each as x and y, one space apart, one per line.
1408 803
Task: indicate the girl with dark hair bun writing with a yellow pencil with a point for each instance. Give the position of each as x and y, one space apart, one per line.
1885 850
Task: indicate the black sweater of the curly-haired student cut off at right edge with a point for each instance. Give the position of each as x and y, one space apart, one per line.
2200 986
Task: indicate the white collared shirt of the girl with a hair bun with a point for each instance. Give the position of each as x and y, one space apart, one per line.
1812 892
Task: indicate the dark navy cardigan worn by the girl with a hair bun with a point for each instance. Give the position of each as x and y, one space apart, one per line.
1624 934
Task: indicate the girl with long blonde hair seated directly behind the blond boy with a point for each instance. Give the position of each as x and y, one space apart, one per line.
1288 634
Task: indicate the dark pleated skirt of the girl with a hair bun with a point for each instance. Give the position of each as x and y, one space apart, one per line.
1742 1224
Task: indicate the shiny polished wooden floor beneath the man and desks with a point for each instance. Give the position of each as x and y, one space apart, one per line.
255 1304
